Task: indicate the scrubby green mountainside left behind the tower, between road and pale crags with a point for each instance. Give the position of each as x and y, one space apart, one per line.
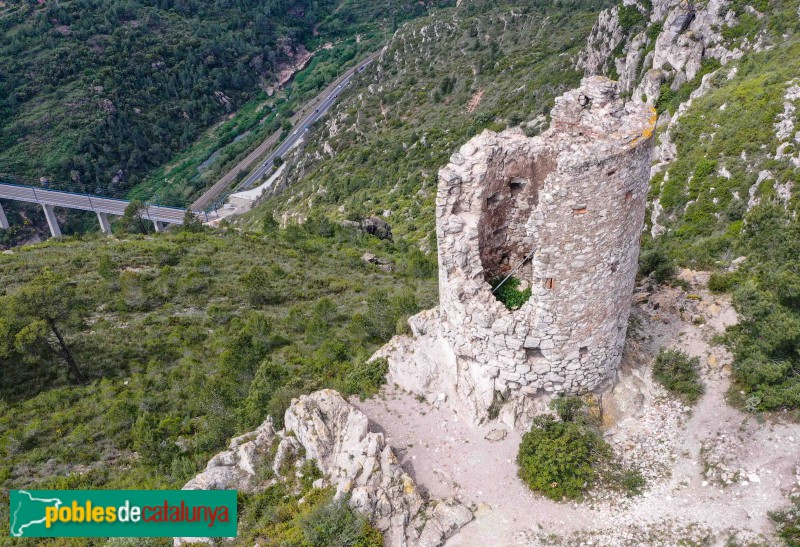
440 80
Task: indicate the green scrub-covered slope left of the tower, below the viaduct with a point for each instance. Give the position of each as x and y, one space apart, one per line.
181 341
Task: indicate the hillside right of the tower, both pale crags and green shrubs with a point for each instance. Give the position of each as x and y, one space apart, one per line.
724 192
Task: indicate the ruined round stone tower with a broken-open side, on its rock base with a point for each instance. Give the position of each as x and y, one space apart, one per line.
563 212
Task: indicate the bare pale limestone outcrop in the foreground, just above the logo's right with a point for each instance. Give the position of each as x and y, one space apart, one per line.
325 428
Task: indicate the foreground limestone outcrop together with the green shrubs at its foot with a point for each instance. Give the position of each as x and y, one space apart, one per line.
327 447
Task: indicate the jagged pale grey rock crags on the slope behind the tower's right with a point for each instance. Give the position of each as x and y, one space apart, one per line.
690 48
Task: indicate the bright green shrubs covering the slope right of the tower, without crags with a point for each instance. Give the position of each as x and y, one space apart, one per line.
725 140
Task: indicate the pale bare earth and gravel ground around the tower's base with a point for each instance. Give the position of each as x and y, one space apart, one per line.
713 472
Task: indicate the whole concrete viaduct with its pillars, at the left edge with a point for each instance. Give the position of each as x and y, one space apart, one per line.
49 199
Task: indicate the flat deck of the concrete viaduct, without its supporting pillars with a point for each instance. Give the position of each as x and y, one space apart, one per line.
86 202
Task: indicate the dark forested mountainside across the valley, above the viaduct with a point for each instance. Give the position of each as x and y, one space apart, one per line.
97 94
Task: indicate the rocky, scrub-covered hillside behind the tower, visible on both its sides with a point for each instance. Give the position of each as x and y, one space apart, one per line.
722 76
